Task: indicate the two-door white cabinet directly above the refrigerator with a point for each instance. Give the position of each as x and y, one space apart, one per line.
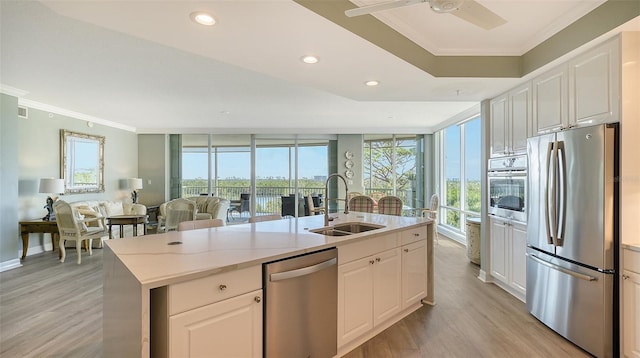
583 91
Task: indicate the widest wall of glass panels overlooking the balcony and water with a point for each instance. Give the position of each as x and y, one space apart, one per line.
222 165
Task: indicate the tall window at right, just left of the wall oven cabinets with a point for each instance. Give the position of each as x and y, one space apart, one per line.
459 162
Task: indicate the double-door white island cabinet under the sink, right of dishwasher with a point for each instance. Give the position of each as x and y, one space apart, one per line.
369 293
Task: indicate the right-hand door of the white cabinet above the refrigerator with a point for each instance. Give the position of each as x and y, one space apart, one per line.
594 85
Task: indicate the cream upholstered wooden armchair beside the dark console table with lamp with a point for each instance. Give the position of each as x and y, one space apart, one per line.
72 226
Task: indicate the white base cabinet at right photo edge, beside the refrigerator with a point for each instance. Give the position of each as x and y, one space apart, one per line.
631 303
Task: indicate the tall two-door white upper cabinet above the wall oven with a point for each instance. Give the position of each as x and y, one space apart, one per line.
510 121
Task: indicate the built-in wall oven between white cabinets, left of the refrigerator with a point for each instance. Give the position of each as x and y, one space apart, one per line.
507 182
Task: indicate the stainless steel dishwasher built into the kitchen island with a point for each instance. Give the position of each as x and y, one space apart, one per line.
301 306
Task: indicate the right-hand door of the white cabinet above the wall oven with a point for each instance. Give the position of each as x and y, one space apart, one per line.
520 118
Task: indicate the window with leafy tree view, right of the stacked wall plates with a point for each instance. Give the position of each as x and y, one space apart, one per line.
393 166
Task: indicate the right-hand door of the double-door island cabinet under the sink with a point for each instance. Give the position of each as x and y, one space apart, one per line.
387 281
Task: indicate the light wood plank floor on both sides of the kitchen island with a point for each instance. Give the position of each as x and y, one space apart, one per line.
52 309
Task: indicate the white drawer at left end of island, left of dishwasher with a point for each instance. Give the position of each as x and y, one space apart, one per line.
203 291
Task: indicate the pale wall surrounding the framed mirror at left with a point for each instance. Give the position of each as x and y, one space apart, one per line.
38 153
